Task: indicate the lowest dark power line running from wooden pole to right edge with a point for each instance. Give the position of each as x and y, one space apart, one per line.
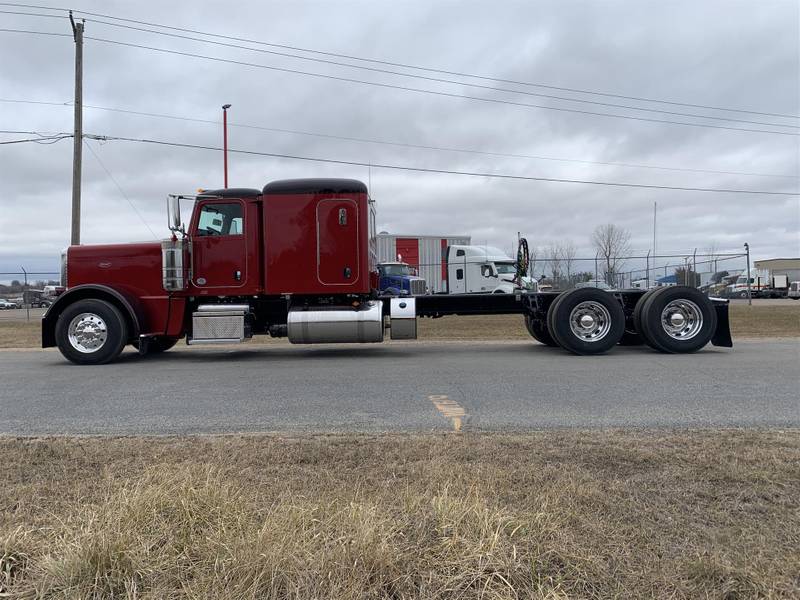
440 171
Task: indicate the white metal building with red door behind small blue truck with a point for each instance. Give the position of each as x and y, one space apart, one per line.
425 252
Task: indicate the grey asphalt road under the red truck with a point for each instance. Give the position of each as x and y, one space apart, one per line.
399 387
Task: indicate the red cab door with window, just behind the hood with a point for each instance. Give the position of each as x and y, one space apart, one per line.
219 247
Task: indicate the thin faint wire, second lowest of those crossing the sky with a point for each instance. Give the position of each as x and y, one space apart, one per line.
401 144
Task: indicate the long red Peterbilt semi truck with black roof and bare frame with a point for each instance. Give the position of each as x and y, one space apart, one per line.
297 259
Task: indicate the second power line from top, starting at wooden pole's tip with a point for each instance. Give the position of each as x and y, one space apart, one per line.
441 80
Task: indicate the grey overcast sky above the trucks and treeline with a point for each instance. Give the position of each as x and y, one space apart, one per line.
742 55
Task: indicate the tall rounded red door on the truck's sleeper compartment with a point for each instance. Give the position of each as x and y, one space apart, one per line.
337 241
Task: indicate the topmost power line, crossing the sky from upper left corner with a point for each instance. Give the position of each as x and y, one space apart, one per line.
410 66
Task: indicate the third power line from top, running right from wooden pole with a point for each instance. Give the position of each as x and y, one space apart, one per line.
425 91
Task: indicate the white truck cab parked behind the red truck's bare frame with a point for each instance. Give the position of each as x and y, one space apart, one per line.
483 269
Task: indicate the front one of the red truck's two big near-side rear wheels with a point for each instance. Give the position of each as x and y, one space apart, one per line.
586 321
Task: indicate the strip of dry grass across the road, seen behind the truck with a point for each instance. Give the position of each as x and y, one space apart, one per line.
746 322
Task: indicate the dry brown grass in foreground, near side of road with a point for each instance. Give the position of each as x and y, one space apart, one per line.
559 514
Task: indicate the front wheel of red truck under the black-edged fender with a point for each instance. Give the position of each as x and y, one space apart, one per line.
91 332
